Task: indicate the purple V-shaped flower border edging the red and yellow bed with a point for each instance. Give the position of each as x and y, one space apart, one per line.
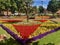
15 36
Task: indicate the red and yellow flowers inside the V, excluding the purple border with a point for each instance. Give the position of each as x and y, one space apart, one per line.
29 31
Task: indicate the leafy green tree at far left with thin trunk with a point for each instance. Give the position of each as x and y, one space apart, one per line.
5 5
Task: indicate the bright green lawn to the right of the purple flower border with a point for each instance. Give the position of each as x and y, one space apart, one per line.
51 38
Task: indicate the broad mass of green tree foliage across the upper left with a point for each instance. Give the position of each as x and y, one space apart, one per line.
15 5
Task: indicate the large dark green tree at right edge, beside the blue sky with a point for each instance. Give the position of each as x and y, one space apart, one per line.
53 6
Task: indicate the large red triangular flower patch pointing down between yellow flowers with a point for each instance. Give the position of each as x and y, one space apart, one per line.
26 30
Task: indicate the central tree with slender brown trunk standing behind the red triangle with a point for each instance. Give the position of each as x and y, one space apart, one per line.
24 6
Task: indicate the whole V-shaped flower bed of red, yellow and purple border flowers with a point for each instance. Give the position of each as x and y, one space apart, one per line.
33 32
